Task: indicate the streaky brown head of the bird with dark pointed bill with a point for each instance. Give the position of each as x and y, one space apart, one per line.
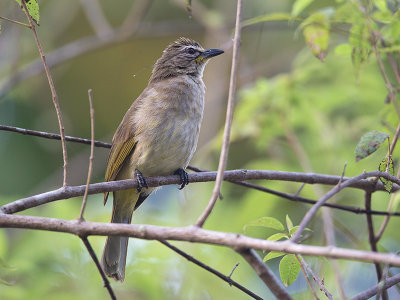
183 57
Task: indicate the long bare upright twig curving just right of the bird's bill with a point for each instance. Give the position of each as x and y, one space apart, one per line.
228 122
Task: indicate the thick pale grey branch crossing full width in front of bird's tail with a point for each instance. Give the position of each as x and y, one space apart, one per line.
190 234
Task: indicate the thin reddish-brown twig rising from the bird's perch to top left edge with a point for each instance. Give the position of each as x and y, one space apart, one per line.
52 89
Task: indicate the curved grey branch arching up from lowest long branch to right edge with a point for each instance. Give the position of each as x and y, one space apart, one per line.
310 214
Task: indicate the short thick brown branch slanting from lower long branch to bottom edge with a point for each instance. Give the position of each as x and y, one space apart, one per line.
265 274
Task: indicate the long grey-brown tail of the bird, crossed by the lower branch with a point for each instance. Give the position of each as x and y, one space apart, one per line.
115 250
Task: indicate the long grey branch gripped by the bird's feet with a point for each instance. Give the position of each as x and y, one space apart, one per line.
233 175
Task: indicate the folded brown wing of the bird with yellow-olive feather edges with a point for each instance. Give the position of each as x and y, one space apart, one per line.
120 151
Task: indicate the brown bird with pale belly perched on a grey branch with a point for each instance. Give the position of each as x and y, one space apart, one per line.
157 136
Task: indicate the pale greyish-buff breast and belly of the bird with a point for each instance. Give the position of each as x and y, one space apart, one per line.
168 126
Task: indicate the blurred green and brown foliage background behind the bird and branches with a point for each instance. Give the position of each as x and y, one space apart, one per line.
293 112
